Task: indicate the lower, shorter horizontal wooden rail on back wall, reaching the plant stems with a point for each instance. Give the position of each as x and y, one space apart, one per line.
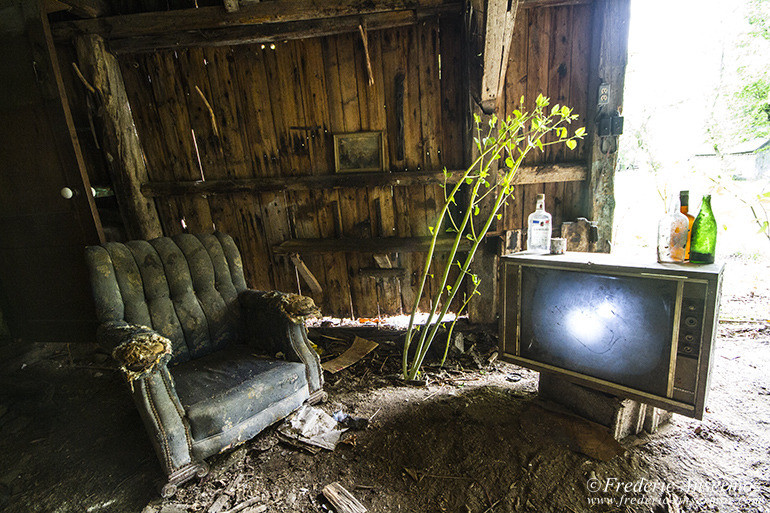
372 245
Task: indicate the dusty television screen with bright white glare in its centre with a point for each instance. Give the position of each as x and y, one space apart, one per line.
615 328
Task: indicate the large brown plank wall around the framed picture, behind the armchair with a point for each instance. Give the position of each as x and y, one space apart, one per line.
255 111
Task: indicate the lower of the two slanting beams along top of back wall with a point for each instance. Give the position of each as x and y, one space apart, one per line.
275 32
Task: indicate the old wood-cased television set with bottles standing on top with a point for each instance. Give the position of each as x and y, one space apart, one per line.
641 331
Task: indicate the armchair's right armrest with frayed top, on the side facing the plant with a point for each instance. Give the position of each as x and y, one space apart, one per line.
275 323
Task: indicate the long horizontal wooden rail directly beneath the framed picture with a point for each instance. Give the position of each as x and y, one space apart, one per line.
547 173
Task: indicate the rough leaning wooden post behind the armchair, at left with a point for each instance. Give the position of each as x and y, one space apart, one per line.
120 142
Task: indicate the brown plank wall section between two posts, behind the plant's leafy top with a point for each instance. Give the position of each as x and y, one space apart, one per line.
550 54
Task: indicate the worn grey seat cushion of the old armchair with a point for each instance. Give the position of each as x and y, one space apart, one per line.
228 387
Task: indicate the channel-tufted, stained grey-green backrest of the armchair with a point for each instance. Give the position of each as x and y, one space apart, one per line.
184 287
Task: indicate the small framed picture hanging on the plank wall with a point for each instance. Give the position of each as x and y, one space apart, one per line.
359 152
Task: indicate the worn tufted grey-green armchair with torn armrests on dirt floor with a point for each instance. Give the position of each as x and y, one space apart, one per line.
210 363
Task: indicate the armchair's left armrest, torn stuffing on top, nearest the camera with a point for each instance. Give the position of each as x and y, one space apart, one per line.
143 356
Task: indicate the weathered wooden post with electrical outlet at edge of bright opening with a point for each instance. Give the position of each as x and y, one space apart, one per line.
608 65
